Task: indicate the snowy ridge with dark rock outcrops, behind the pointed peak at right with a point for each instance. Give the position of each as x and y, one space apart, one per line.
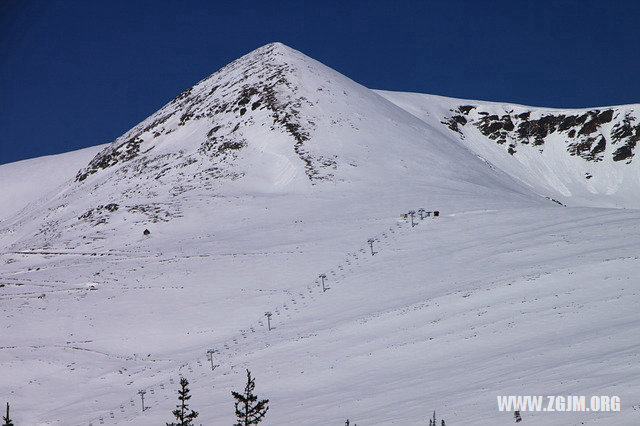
581 157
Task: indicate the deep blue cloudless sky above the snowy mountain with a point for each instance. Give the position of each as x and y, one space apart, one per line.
80 73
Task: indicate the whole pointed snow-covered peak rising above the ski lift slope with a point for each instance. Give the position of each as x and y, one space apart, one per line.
272 122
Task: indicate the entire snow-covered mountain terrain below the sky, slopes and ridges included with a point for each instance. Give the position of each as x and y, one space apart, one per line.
276 169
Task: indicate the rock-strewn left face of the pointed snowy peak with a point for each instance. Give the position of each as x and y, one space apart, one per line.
257 88
